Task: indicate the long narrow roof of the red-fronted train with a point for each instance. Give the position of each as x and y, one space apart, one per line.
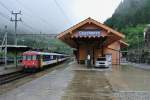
39 53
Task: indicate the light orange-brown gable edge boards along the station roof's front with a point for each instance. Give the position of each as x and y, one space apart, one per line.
90 20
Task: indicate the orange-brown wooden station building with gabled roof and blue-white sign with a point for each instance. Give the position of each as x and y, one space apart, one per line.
93 38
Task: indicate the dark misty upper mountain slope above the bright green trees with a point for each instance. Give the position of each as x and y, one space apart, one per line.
130 13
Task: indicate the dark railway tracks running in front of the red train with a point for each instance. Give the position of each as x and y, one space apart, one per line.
11 77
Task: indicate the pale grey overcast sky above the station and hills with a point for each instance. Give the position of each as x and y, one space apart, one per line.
54 16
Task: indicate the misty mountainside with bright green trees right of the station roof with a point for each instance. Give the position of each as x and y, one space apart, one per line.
131 17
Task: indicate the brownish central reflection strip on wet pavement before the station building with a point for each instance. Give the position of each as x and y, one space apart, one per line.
88 84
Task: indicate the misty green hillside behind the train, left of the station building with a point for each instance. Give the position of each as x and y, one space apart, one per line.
40 43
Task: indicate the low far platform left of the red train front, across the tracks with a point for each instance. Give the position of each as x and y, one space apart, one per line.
10 69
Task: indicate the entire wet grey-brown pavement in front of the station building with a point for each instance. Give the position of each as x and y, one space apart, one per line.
76 82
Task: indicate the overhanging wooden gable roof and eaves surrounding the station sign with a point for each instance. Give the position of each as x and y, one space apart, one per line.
107 32
